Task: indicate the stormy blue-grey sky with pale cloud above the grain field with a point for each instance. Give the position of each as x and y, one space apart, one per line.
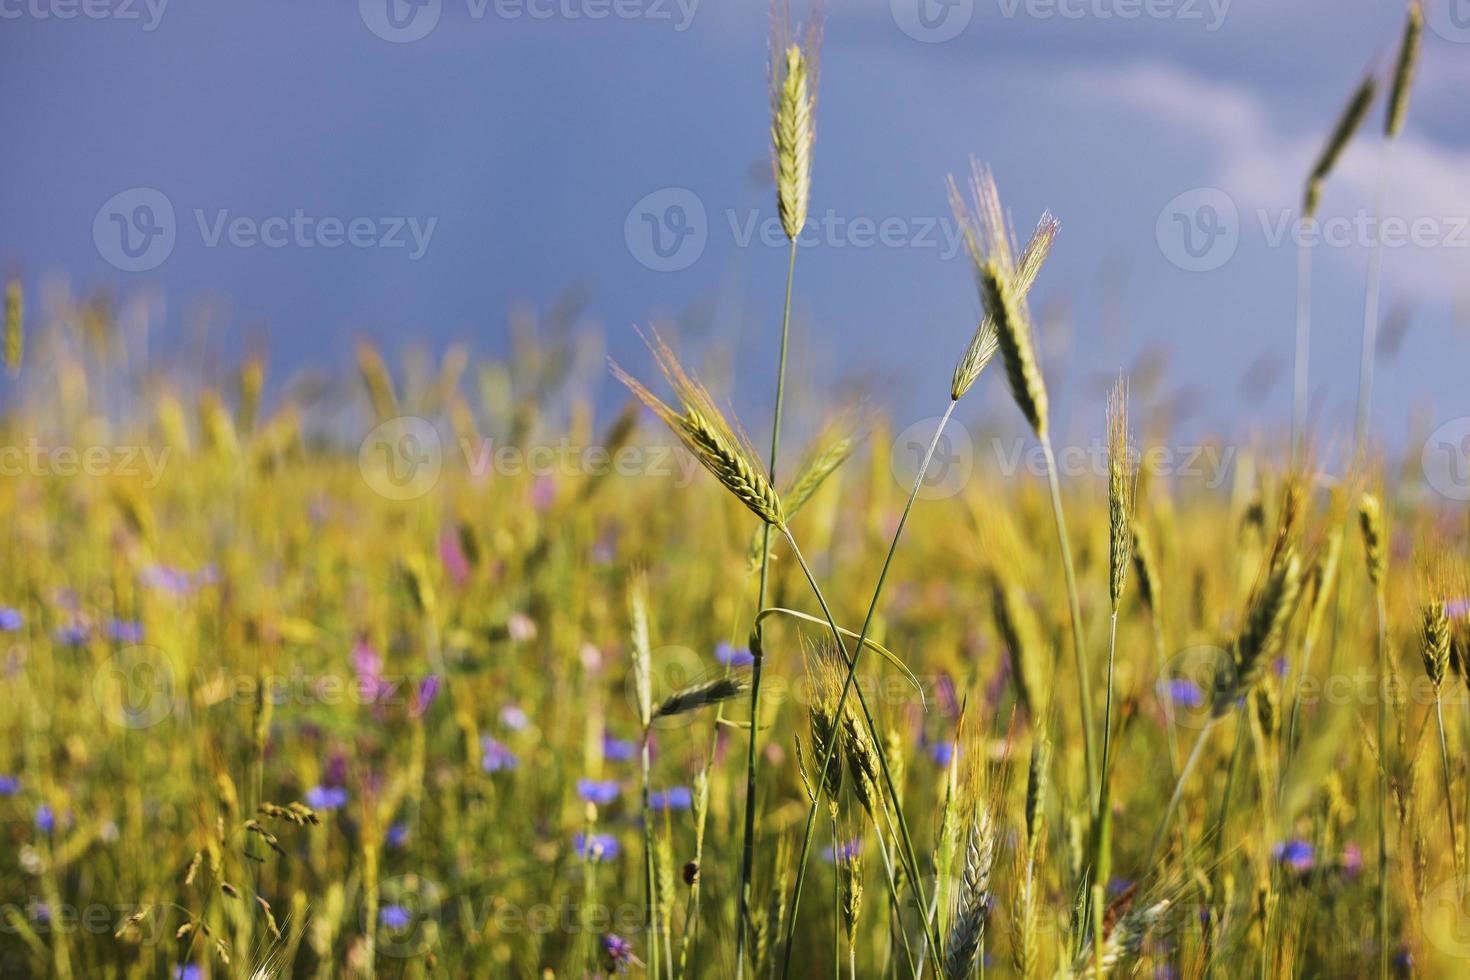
527 140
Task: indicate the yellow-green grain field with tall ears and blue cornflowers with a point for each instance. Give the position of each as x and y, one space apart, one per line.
436 668
